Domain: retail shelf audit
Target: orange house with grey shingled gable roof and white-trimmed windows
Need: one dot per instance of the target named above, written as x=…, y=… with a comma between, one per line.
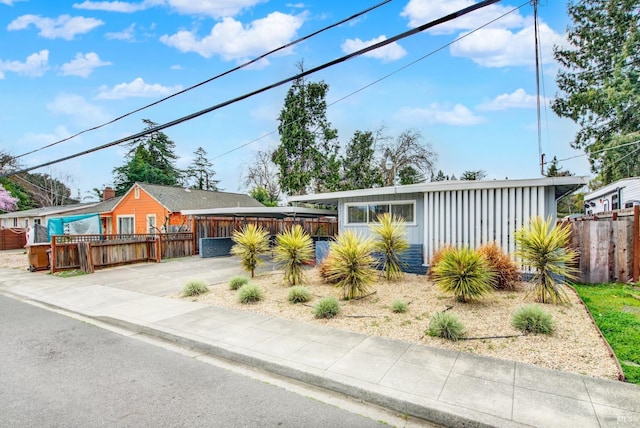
x=152, y=208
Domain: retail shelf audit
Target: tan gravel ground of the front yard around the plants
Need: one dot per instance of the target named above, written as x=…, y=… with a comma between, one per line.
x=575, y=346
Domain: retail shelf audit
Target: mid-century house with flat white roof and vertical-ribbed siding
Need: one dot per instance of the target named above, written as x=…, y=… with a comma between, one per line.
x=458, y=213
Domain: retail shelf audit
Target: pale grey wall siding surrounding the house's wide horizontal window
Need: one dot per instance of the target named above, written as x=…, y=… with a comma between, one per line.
x=415, y=231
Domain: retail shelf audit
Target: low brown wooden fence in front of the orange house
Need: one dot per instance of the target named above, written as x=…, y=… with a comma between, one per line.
x=87, y=252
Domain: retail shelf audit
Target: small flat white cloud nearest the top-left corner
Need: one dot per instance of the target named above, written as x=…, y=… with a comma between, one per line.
x=64, y=27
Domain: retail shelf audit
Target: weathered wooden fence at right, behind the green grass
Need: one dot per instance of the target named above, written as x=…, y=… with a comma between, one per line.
x=608, y=245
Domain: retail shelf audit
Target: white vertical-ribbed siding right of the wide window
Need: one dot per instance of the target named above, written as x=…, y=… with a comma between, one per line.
x=473, y=217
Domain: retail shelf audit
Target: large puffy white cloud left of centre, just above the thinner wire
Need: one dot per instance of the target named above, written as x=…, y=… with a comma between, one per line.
x=231, y=40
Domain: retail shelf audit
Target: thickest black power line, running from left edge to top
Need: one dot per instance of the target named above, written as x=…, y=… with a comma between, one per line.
x=300, y=75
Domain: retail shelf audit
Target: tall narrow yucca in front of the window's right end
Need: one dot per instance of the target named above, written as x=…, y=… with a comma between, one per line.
x=390, y=241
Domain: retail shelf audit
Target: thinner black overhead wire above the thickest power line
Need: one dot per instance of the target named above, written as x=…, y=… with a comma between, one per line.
x=246, y=64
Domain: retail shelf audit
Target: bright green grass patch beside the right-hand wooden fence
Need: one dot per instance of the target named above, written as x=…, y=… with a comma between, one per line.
x=617, y=314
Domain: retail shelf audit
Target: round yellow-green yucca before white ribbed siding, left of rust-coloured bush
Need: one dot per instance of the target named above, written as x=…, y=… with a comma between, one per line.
x=465, y=273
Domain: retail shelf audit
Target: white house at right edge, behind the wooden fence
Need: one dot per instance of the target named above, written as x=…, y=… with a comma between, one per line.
x=623, y=193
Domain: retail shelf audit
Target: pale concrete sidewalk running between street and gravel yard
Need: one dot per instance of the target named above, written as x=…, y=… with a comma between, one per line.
x=446, y=387
